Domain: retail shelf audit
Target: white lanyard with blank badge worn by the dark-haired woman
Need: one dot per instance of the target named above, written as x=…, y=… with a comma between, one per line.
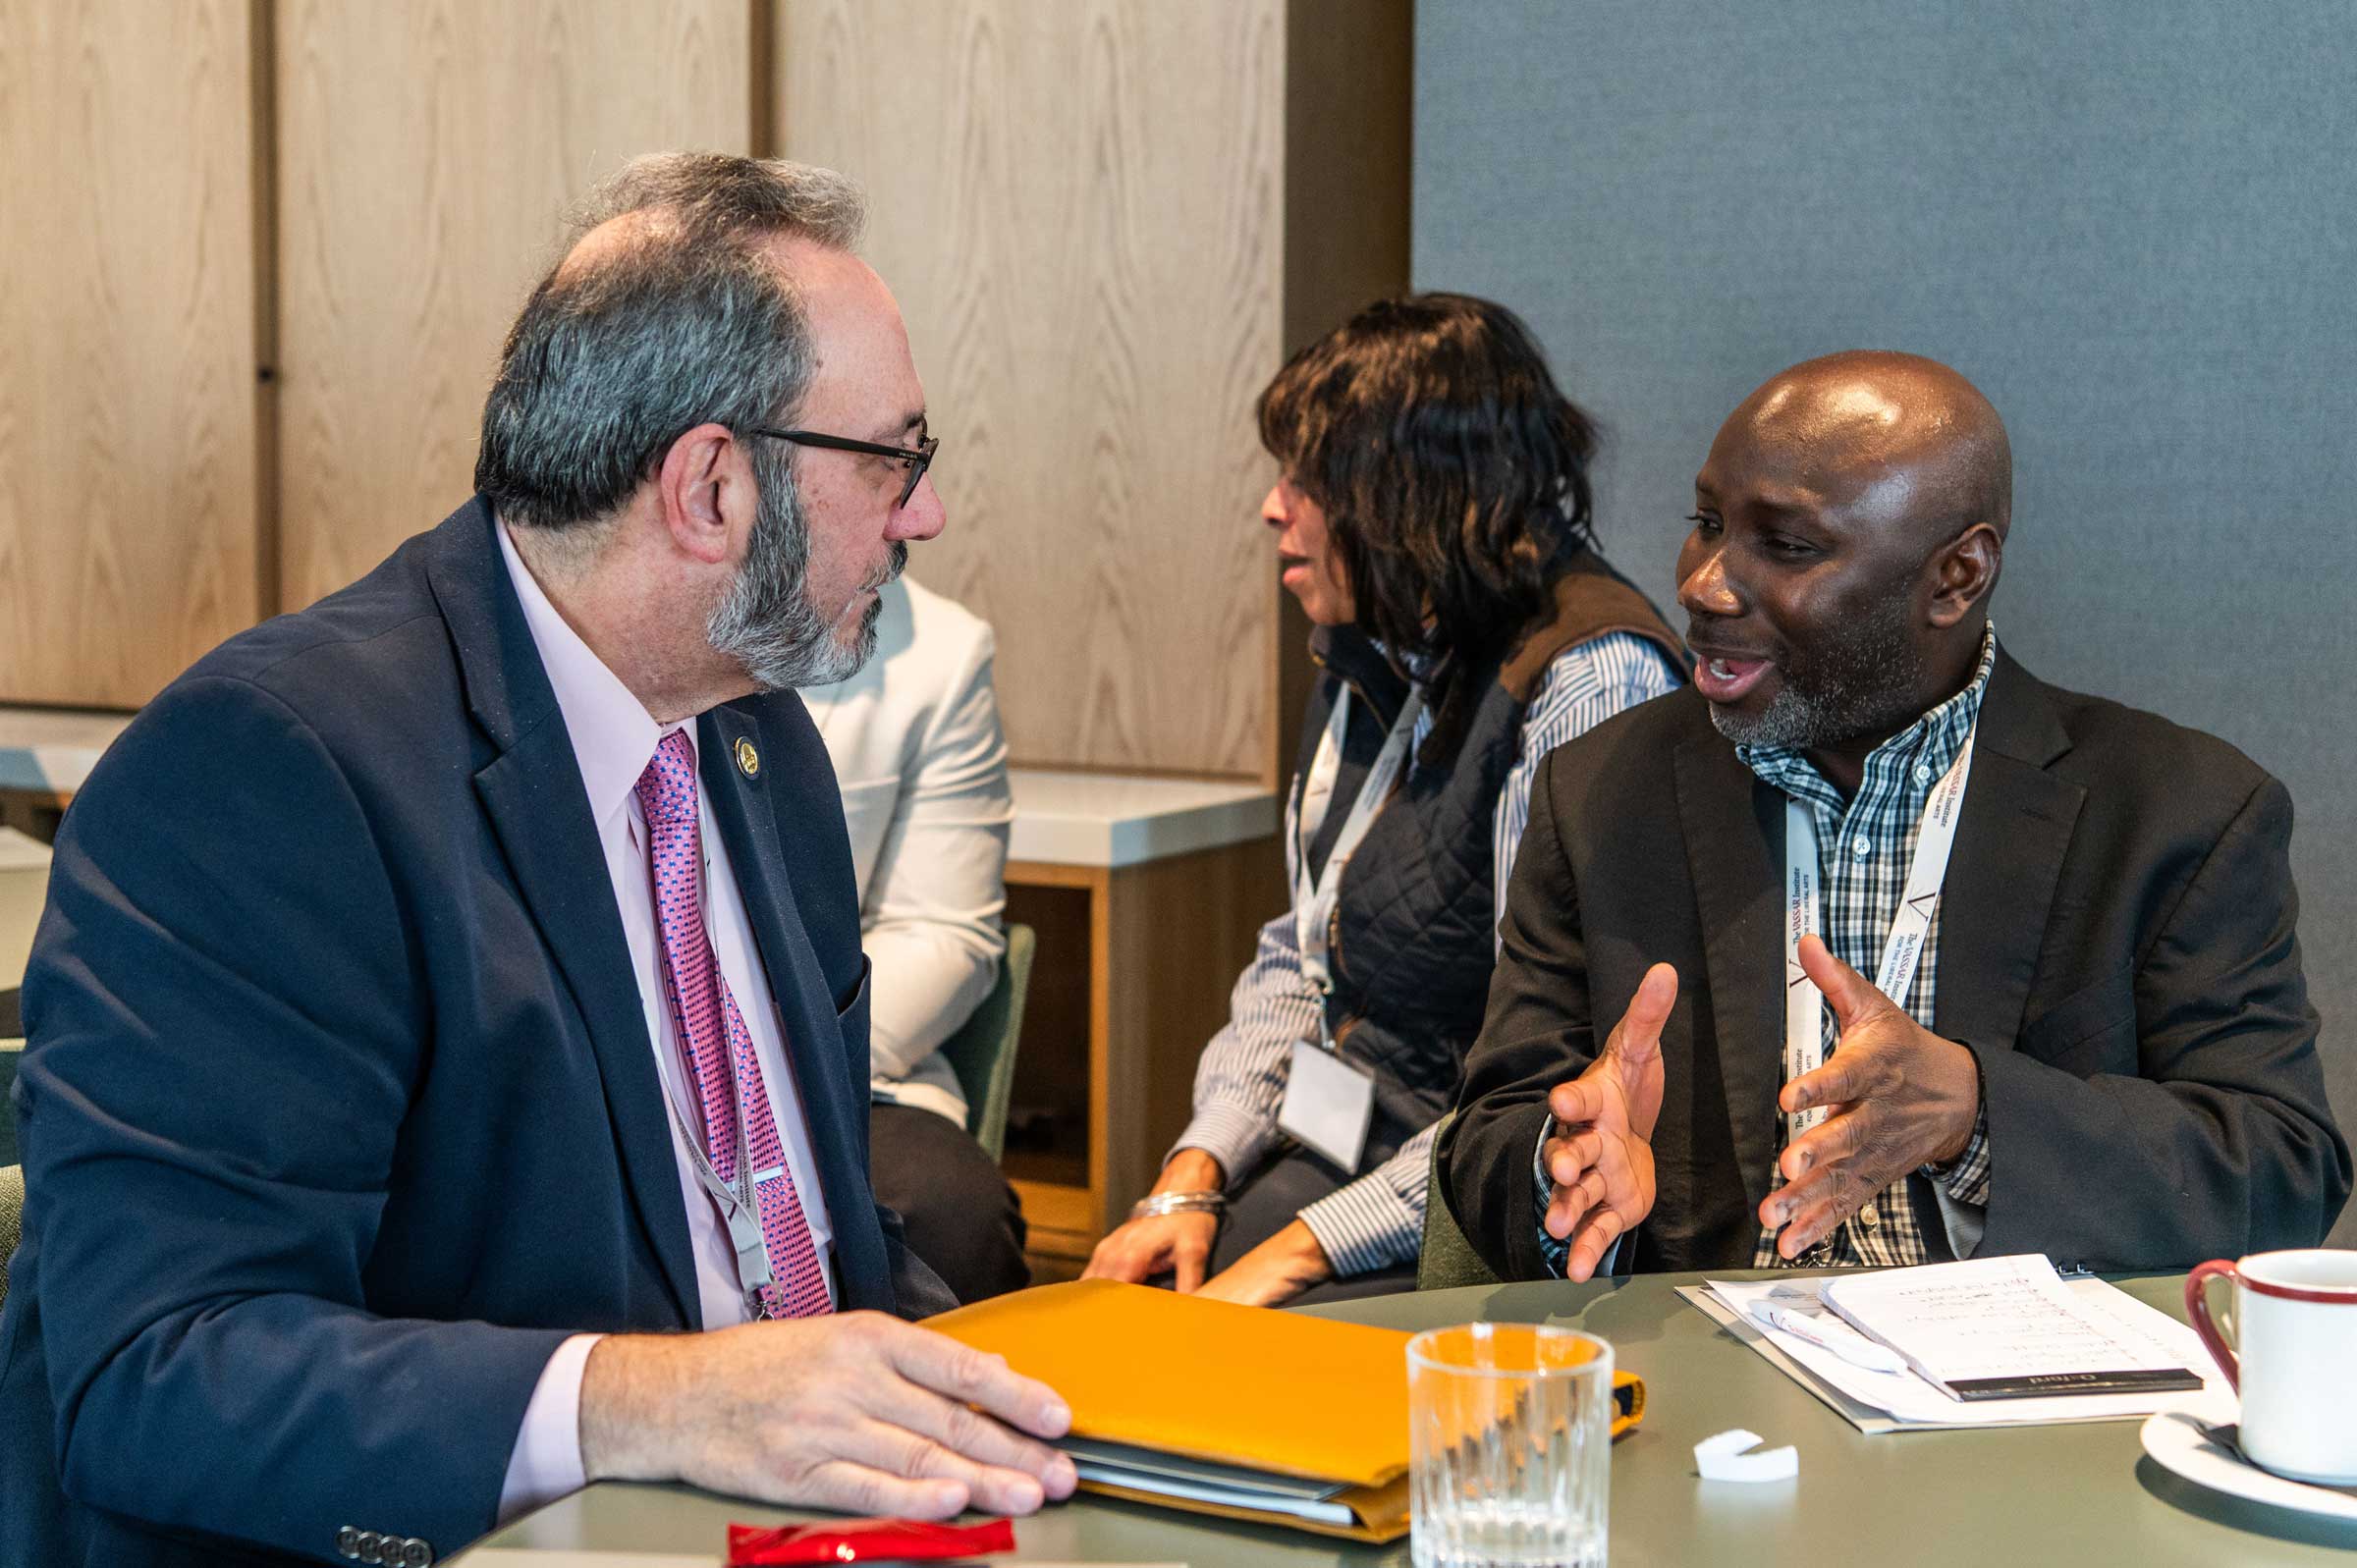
x=1328, y=1100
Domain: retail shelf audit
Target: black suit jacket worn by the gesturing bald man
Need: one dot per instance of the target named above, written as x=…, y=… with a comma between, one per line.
x=2115, y=949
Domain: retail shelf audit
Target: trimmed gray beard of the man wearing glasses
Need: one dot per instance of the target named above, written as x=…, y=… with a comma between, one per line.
x=765, y=617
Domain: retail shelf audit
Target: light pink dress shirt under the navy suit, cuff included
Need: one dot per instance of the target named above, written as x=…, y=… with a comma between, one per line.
x=614, y=739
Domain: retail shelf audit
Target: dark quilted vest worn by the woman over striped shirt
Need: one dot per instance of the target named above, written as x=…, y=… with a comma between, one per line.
x=1415, y=928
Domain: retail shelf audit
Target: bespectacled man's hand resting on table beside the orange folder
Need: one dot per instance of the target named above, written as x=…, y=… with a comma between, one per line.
x=859, y=1414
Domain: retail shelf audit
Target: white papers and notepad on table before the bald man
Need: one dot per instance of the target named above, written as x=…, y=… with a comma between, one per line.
x=1981, y=1322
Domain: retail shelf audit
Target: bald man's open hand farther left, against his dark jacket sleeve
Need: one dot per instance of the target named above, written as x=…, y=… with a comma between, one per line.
x=1602, y=1168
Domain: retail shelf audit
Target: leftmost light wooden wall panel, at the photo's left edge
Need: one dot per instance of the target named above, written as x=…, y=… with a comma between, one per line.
x=128, y=409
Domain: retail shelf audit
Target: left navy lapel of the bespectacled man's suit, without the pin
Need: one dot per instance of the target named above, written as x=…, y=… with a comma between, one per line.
x=539, y=808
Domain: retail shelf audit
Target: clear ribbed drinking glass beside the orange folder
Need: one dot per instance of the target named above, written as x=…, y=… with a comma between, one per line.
x=1510, y=1447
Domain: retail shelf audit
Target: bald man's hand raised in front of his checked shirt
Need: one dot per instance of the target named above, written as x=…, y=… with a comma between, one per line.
x=1901, y=1098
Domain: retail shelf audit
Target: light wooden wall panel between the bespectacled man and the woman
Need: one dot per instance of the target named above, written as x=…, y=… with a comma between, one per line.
x=1081, y=213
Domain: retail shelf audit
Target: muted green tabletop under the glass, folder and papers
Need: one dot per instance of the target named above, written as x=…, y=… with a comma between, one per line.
x=2005, y=1498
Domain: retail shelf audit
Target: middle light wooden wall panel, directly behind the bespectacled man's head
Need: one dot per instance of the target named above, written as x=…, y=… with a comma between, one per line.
x=428, y=154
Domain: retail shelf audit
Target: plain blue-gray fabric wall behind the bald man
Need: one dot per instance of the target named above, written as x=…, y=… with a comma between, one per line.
x=2134, y=223
